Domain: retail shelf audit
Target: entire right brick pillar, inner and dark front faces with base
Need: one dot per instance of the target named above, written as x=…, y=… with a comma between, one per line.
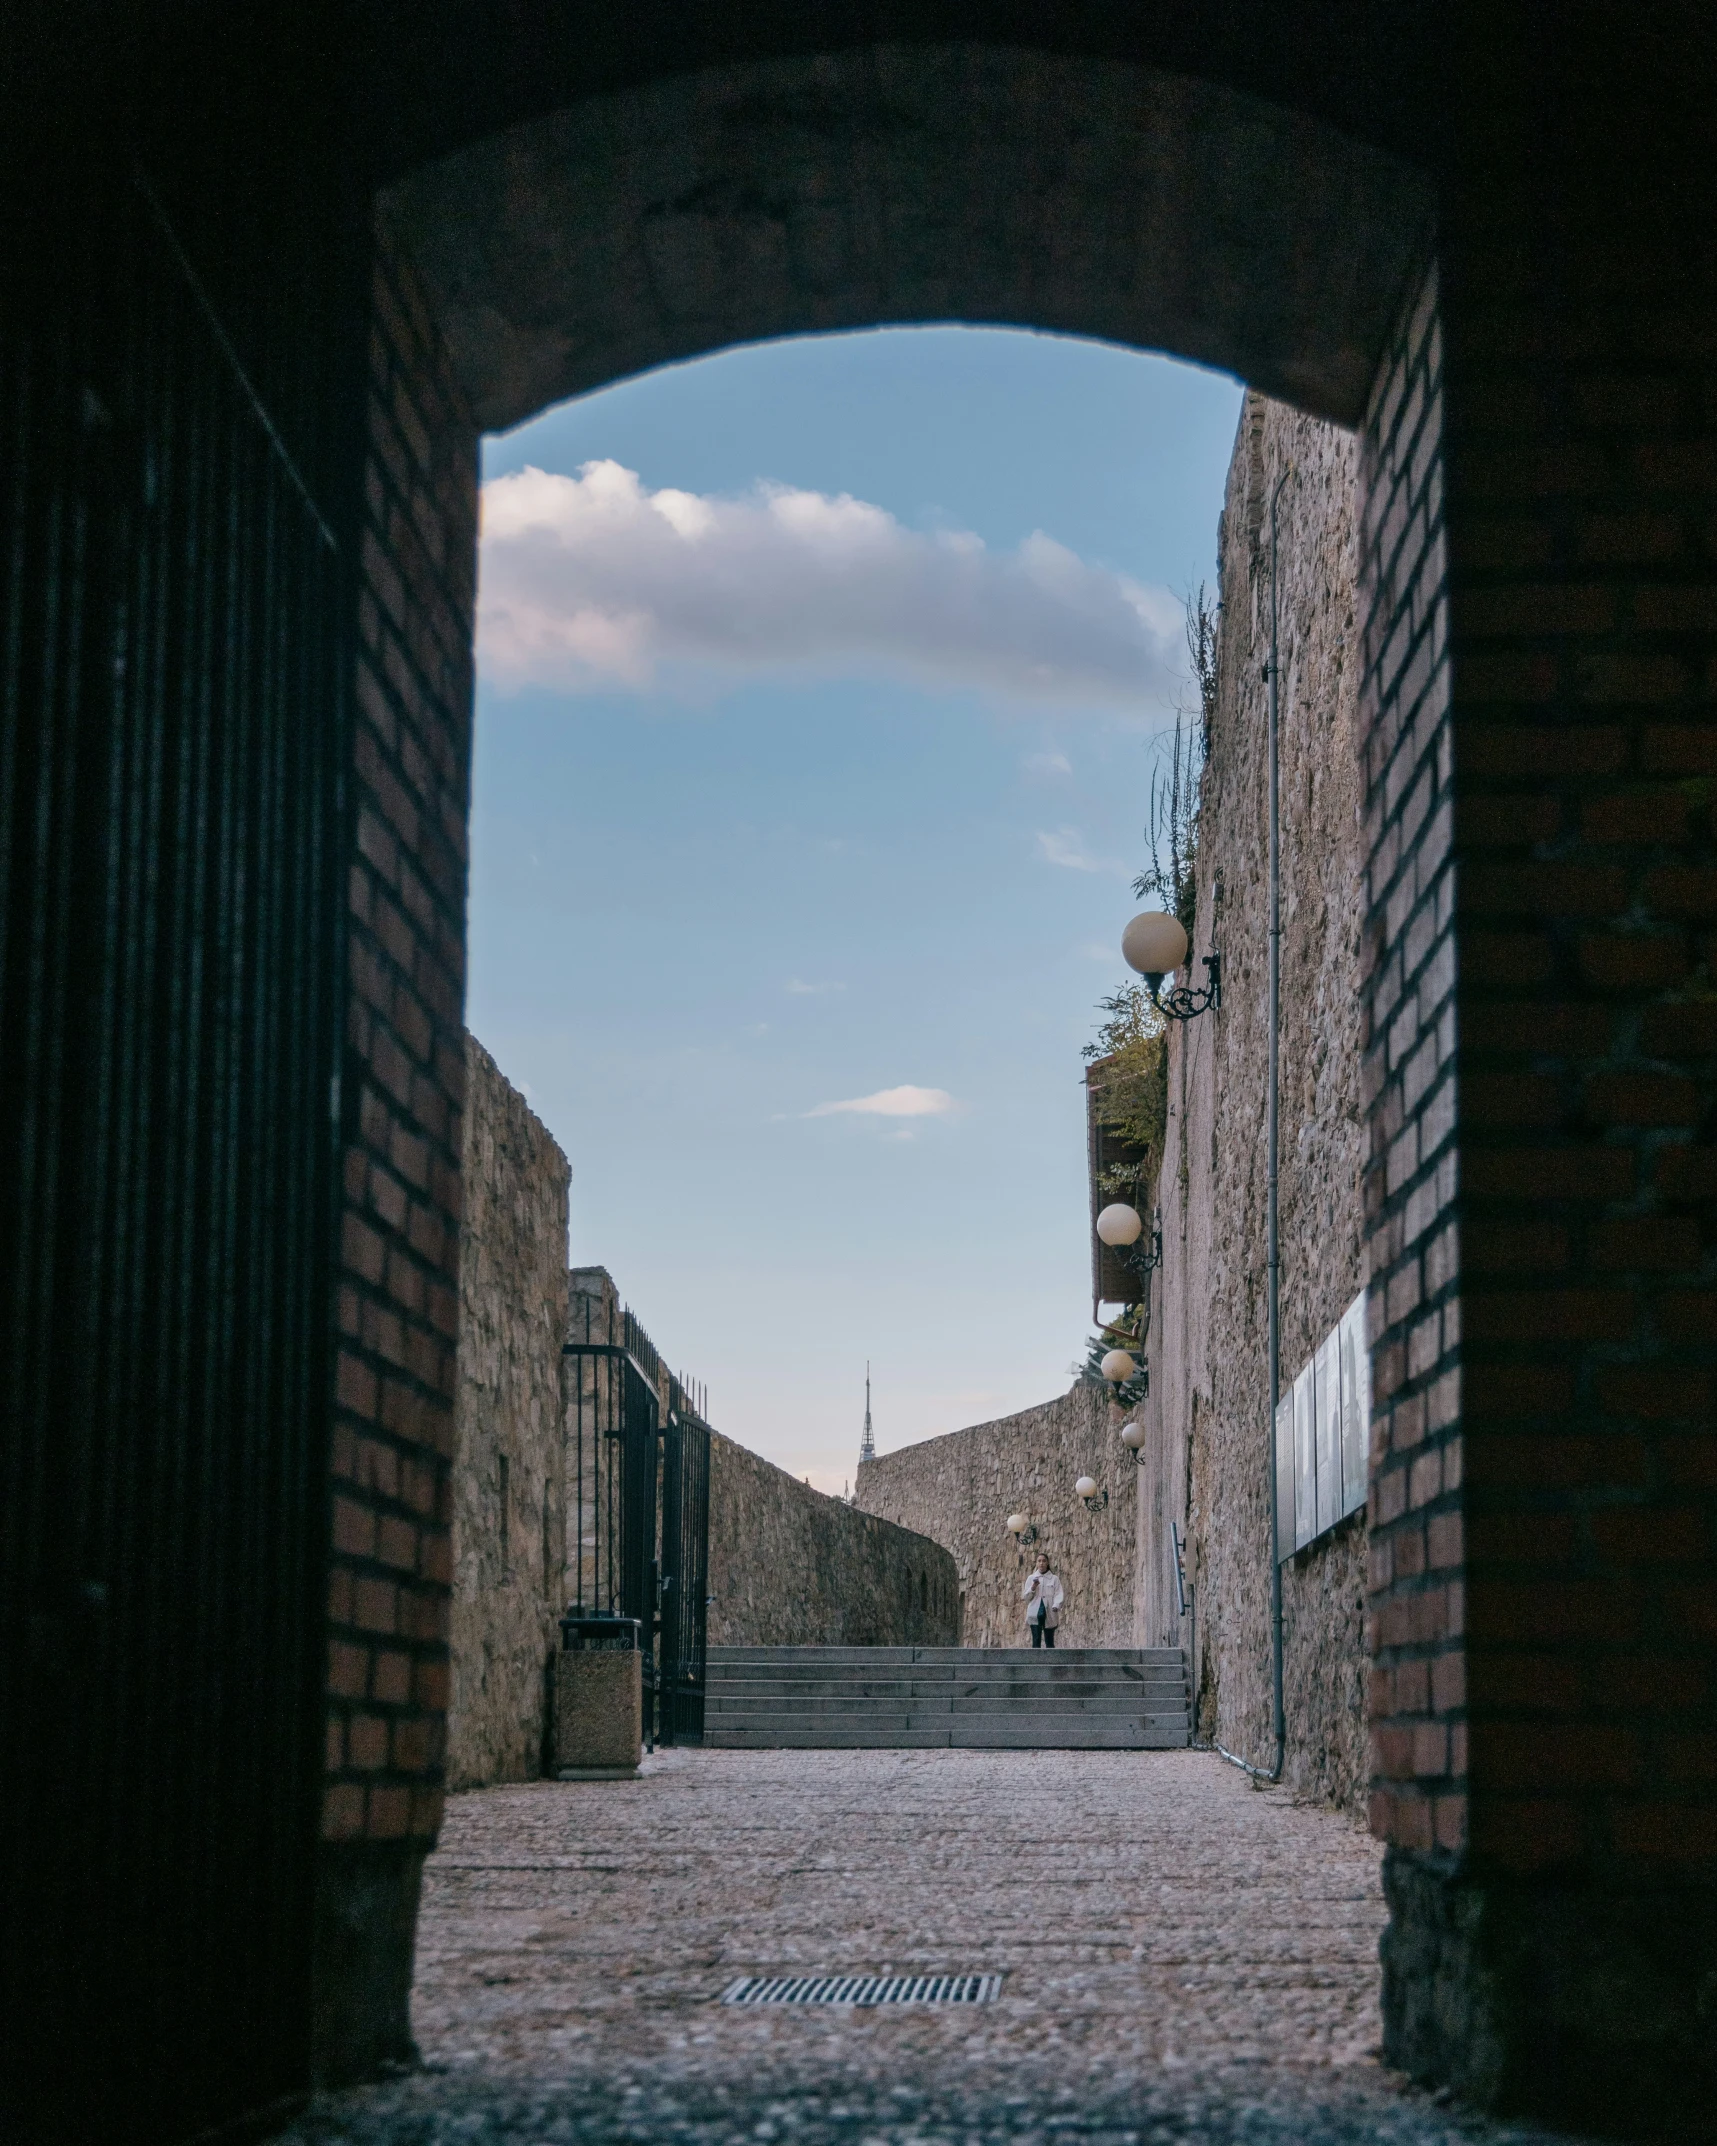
x=1544, y=1456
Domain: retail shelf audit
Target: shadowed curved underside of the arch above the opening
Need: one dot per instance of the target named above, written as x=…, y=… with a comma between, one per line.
x=915, y=183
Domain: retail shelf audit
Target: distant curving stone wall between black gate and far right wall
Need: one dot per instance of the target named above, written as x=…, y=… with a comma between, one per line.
x=793, y=1568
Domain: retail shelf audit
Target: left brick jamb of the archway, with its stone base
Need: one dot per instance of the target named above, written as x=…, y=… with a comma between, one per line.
x=402, y=1100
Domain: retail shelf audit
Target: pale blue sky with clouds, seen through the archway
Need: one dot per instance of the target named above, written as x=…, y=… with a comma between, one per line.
x=812, y=759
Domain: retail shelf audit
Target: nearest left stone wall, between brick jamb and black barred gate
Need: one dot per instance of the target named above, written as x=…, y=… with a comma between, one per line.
x=508, y=1475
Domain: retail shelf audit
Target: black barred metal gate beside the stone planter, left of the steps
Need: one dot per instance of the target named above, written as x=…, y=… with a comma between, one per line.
x=639, y=1508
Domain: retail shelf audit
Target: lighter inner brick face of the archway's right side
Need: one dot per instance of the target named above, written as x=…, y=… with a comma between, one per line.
x=1411, y=1175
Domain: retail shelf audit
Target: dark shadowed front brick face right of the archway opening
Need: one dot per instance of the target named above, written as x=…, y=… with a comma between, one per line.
x=1583, y=458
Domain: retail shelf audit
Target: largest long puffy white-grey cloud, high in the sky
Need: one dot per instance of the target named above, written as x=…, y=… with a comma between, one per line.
x=596, y=580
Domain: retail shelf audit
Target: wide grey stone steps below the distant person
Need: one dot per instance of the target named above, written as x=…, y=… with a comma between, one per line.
x=995, y=1699
